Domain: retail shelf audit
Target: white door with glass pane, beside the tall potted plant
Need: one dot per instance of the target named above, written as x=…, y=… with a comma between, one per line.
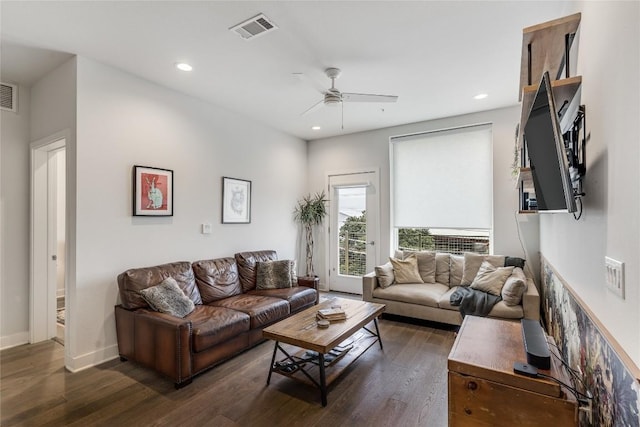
x=353, y=229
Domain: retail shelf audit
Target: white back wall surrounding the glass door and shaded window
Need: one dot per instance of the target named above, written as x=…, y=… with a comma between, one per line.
x=369, y=149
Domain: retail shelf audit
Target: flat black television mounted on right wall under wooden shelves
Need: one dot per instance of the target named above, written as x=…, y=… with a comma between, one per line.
x=547, y=153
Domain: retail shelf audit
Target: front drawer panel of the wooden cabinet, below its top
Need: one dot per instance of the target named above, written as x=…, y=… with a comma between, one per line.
x=477, y=402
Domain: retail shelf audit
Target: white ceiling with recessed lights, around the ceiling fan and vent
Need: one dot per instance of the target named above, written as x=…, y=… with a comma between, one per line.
x=435, y=55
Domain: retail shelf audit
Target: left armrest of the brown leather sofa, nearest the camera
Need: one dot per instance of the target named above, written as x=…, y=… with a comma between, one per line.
x=163, y=342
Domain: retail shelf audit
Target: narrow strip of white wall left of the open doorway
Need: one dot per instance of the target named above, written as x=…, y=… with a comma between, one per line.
x=14, y=218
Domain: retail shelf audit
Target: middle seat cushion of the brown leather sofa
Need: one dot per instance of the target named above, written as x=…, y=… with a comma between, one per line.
x=261, y=309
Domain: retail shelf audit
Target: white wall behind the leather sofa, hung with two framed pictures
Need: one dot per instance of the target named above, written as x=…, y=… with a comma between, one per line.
x=125, y=121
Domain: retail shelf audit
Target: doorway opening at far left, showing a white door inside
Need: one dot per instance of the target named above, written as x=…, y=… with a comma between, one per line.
x=48, y=240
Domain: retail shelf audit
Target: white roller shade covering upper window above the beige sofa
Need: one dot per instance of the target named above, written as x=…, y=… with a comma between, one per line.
x=443, y=179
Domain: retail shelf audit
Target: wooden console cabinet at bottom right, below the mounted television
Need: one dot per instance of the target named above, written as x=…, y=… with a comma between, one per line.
x=484, y=390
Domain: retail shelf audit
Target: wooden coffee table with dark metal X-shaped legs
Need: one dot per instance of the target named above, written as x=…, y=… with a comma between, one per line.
x=351, y=337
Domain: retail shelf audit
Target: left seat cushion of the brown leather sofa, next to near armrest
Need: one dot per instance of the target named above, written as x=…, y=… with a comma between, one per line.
x=213, y=325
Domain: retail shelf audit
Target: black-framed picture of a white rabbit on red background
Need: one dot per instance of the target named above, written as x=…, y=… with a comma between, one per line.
x=152, y=191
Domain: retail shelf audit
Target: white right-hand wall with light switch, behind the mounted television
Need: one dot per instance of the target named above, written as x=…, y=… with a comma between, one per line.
x=608, y=60
